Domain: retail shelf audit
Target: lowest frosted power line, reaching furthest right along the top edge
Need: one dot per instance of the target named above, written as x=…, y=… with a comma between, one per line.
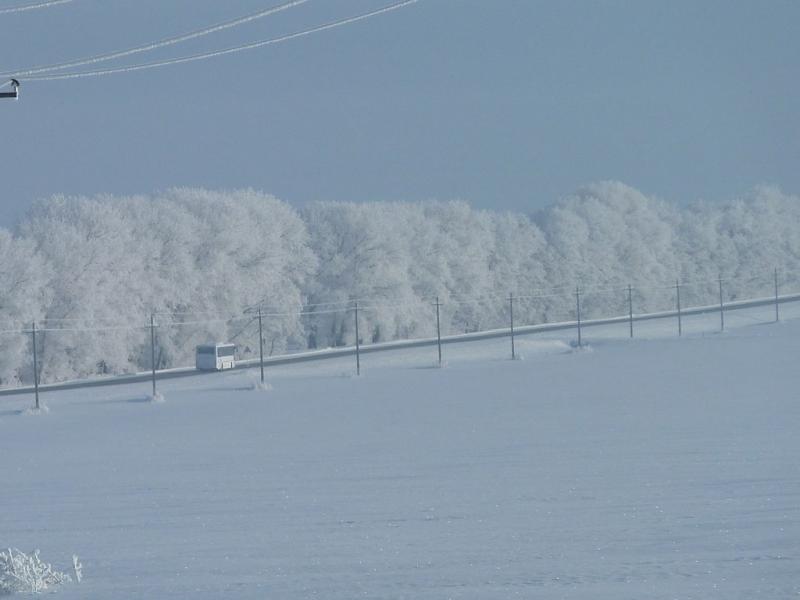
x=232, y=50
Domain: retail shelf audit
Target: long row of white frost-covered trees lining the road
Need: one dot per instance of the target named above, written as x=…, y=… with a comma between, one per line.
x=91, y=271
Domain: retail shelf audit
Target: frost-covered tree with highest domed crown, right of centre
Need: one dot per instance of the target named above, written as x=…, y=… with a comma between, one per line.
x=610, y=235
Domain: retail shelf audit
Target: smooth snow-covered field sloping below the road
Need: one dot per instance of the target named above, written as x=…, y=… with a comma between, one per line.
x=658, y=468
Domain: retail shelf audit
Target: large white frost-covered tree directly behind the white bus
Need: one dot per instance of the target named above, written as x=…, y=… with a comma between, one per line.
x=219, y=255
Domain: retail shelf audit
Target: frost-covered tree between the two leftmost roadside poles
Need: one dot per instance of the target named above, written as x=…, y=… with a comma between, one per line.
x=86, y=243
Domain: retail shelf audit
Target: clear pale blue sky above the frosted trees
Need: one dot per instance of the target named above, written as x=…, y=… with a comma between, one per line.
x=505, y=104
